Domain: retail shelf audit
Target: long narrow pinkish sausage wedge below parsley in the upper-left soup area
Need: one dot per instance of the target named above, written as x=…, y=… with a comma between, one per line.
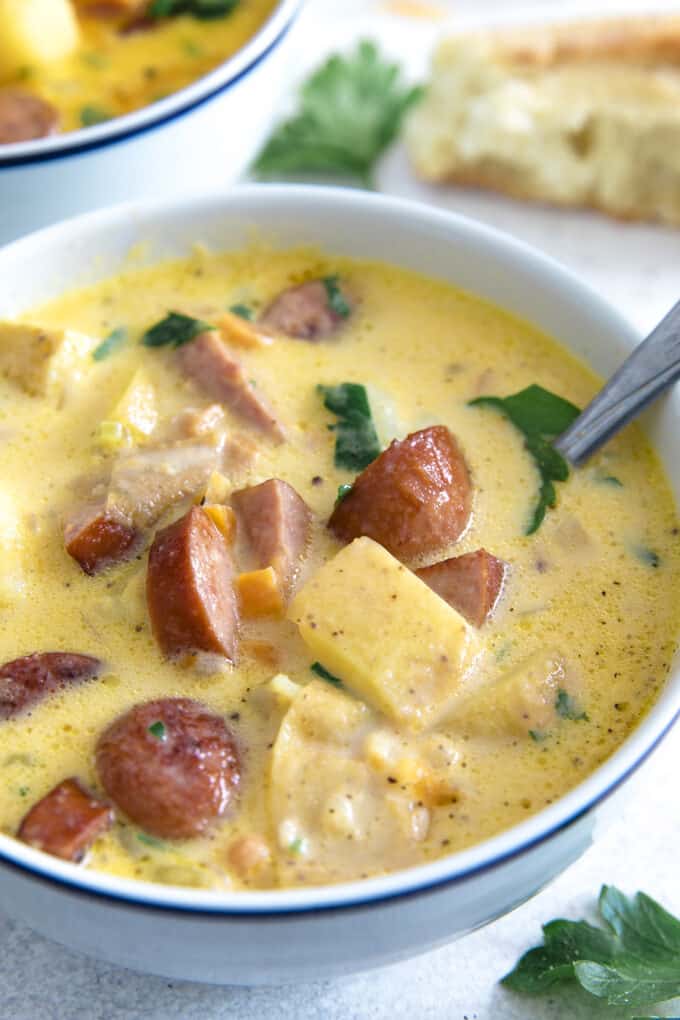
x=208, y=363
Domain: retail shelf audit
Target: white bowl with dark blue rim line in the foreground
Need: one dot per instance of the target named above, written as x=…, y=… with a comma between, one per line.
x=286, y=937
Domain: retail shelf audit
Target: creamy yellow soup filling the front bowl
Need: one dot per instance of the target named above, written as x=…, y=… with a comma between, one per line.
x=353, y=792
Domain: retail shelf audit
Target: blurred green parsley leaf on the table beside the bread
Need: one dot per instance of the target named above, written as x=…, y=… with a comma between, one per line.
x=350, y=112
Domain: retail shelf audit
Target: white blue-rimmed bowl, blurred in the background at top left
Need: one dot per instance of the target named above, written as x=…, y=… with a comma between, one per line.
x=198, y=139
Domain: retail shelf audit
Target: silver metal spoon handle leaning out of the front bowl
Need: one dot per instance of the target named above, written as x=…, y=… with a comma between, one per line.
x=654, y=366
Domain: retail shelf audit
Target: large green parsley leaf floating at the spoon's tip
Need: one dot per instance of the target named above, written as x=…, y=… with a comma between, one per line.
x=541, y=417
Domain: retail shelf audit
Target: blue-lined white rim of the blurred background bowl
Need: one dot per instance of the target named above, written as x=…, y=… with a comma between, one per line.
x=156, y=115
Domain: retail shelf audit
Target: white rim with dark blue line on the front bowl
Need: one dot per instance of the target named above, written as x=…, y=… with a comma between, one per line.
x=445, y=872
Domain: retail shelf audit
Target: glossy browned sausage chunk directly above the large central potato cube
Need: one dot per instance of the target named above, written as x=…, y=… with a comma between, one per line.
x=415, y=499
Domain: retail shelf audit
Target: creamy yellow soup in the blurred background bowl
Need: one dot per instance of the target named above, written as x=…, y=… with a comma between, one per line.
x=115, y=70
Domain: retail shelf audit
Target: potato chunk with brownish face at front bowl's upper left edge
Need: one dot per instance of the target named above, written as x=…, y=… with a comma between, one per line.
x=43, y=363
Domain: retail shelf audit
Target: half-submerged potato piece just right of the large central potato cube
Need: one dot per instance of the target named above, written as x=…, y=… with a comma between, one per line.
x=521, y=702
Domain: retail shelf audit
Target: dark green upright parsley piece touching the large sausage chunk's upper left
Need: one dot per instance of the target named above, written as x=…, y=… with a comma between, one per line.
x=357, y=442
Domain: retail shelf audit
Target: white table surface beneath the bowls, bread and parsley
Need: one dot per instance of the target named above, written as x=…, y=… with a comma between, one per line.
x=638, y=269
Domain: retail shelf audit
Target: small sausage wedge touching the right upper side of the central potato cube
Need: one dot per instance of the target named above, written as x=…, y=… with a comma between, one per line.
x=472, y=584
